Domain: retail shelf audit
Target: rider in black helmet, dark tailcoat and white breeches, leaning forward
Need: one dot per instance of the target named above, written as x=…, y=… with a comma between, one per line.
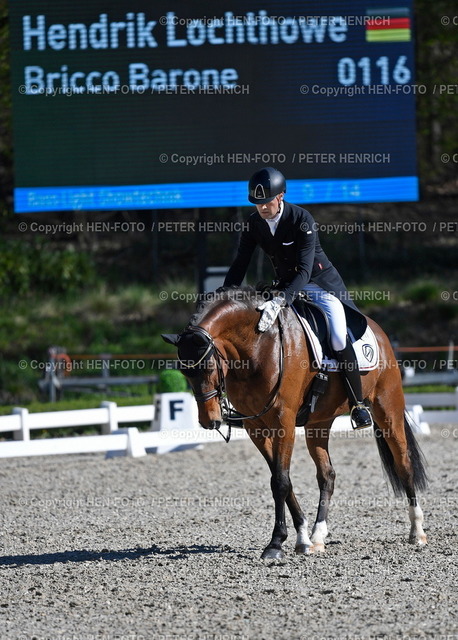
x=288, y=235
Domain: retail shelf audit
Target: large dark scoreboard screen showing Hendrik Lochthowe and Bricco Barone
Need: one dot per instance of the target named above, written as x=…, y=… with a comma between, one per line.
x=131, y=104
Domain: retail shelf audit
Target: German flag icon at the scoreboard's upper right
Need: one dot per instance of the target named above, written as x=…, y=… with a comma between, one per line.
x=388, y=25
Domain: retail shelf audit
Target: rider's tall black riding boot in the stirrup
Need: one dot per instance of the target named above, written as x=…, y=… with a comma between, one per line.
x=348, y=365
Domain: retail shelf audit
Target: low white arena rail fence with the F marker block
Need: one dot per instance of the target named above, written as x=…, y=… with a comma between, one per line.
x=180, y=431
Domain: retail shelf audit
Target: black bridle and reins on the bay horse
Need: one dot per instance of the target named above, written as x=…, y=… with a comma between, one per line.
x=228, y=413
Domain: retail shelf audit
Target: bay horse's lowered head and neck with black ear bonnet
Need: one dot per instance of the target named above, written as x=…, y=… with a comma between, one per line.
x=218, y=342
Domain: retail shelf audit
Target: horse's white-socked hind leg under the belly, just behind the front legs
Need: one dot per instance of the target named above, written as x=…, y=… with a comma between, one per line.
x=317, y=437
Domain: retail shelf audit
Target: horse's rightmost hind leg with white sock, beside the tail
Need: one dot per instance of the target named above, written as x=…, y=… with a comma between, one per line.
x=401, y=456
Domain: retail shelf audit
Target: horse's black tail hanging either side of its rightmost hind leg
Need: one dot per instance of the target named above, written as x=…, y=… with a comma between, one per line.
x=420, y=478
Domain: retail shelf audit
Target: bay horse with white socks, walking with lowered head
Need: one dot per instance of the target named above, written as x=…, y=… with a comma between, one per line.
x=266, y=377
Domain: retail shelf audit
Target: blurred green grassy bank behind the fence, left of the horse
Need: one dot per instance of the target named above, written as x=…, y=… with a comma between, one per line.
x=102, y=320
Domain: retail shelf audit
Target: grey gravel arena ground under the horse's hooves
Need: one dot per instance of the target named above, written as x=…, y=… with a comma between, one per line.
x=169, y=547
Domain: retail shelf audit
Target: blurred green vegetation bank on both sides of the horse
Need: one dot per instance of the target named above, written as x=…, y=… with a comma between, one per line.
x=130, y=319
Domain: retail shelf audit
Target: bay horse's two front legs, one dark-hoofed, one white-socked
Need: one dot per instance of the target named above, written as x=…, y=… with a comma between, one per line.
x=264, y=443
